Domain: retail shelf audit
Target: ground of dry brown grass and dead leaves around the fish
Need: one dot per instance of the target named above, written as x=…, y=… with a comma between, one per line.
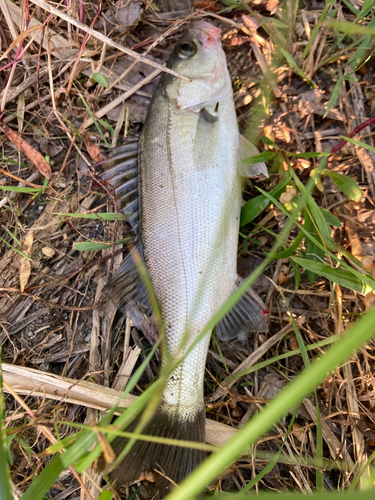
x=54, y=316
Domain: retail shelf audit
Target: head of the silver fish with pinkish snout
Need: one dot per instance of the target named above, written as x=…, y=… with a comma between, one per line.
x=199, y=56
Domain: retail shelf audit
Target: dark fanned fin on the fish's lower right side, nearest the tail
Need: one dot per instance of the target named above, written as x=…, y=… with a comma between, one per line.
x=248, y=315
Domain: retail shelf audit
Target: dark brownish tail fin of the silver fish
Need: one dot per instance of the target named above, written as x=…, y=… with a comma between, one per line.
x=170, y=464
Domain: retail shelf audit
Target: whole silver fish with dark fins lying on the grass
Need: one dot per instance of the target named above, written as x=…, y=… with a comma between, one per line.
x=181, y=185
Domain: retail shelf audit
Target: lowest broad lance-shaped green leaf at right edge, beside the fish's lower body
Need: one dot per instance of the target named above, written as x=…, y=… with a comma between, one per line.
x=339, y=276
